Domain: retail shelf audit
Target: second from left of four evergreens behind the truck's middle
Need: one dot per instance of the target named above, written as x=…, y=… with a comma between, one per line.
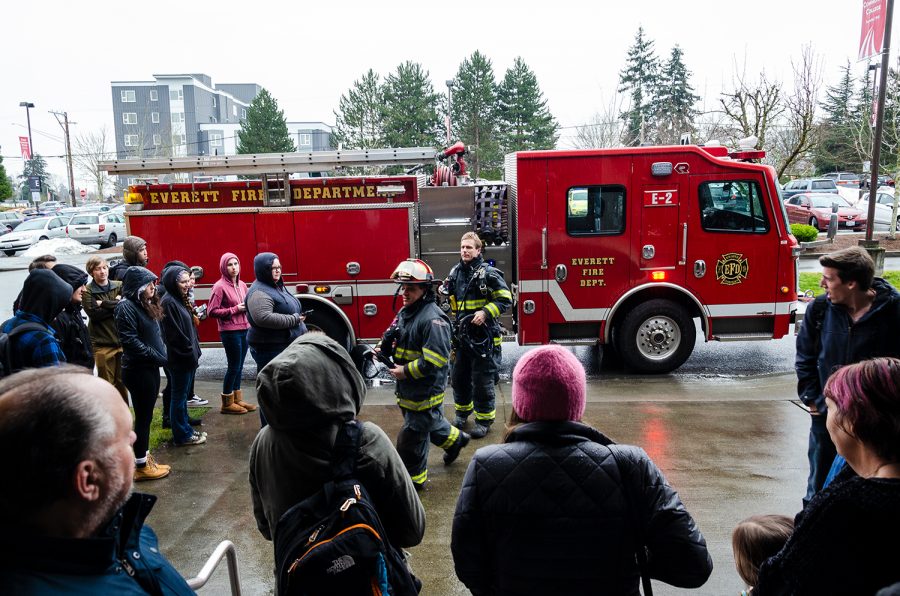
x=411, y=117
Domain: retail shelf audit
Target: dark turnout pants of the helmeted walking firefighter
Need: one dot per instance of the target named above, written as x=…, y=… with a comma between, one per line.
x=419, y=429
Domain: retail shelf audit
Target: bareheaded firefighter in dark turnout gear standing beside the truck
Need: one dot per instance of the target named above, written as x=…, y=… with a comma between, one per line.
x=478, y=296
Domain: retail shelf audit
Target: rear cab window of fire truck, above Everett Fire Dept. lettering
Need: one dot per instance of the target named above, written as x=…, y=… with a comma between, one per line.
x=595, y=210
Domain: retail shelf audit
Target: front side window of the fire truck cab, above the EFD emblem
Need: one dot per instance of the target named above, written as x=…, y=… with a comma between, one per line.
x=732, y=206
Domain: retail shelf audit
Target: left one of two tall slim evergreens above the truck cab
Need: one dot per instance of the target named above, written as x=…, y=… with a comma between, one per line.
x=639, y=79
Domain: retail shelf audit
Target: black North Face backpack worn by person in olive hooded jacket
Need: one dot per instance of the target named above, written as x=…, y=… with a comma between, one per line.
x=333, y=542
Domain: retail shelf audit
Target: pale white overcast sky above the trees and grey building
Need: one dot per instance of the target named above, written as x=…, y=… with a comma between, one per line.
x=62, y=55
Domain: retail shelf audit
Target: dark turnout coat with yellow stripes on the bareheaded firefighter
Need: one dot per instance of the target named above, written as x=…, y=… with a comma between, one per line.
x=487, y=292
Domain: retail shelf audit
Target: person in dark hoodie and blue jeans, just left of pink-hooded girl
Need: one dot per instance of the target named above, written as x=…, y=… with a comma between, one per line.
x=179, y=326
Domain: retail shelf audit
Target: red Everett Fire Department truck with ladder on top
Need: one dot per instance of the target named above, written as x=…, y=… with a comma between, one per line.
x=629, y=248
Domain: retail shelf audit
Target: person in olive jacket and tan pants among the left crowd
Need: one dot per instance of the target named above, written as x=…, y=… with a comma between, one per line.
x=99, y=302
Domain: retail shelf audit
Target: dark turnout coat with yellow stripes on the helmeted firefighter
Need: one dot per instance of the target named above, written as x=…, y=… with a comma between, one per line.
x=423, y=349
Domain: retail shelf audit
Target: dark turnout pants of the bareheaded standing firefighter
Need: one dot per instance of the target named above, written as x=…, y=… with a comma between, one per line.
x=473, y=380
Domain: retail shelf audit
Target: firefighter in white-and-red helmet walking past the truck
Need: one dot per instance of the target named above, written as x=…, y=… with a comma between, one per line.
x=419, y=340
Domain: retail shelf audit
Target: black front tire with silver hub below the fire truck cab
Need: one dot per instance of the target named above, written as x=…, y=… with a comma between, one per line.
x=656, y=337
